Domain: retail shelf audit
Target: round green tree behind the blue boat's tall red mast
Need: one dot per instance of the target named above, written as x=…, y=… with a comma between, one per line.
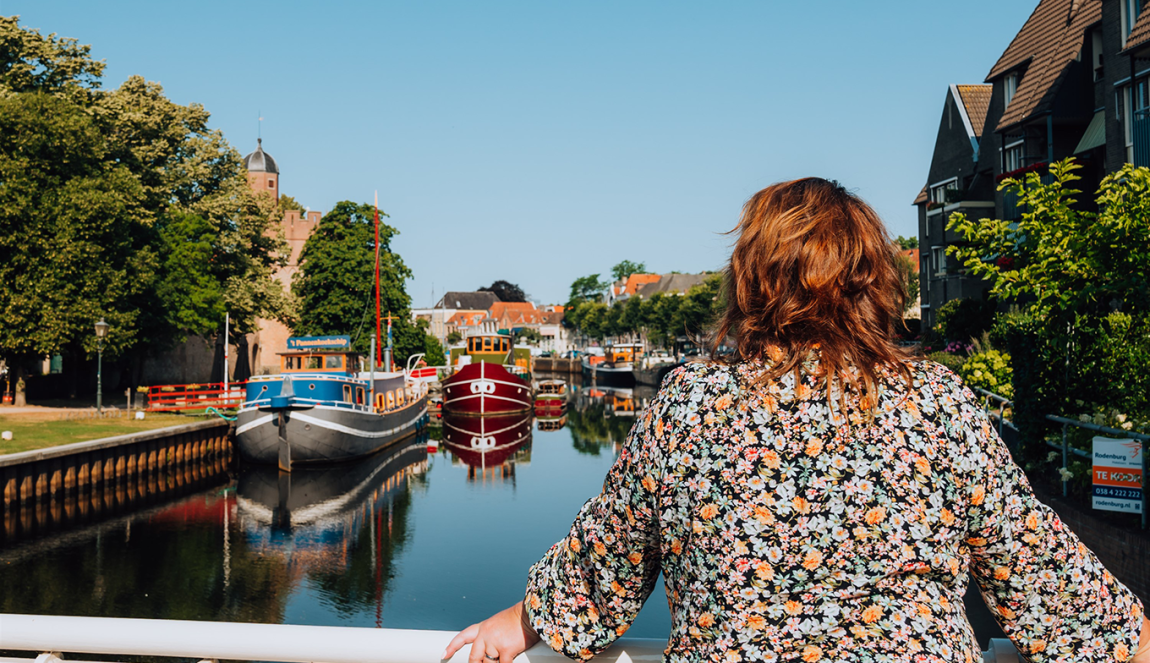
x=336, y=284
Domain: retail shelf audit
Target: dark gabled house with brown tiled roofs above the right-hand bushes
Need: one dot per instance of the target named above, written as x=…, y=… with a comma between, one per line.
x=1062, y=88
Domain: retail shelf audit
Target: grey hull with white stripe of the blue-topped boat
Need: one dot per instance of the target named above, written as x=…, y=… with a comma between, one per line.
x=325, y=434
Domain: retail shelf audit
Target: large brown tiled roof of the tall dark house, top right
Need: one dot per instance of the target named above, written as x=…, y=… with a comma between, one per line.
x=1049, y=41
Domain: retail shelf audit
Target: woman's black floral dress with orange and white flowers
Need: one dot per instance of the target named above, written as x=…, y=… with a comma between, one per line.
x=787, y=530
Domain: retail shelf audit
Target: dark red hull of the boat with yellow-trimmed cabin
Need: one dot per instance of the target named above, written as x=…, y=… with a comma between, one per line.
x=484, y=389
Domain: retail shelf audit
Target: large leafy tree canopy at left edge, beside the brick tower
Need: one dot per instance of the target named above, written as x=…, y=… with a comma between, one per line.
x=119, y=205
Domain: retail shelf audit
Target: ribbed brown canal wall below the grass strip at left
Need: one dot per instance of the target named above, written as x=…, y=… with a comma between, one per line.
x=45, y=475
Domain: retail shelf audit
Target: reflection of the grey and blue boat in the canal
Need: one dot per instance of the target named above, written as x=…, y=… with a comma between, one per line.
x=313, y=518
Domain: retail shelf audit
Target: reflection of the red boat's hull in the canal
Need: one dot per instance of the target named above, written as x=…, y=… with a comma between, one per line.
x=490, y=446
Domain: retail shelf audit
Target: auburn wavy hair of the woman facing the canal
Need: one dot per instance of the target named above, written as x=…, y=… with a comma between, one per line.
x=814, y=269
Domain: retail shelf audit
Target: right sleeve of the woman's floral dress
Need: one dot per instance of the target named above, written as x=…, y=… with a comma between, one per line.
x=1049, y=592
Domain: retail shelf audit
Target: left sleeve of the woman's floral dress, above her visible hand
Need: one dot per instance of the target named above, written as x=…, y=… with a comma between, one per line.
x=589, y=588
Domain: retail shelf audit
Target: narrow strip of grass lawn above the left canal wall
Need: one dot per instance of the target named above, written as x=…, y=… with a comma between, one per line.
x=37, y=431
